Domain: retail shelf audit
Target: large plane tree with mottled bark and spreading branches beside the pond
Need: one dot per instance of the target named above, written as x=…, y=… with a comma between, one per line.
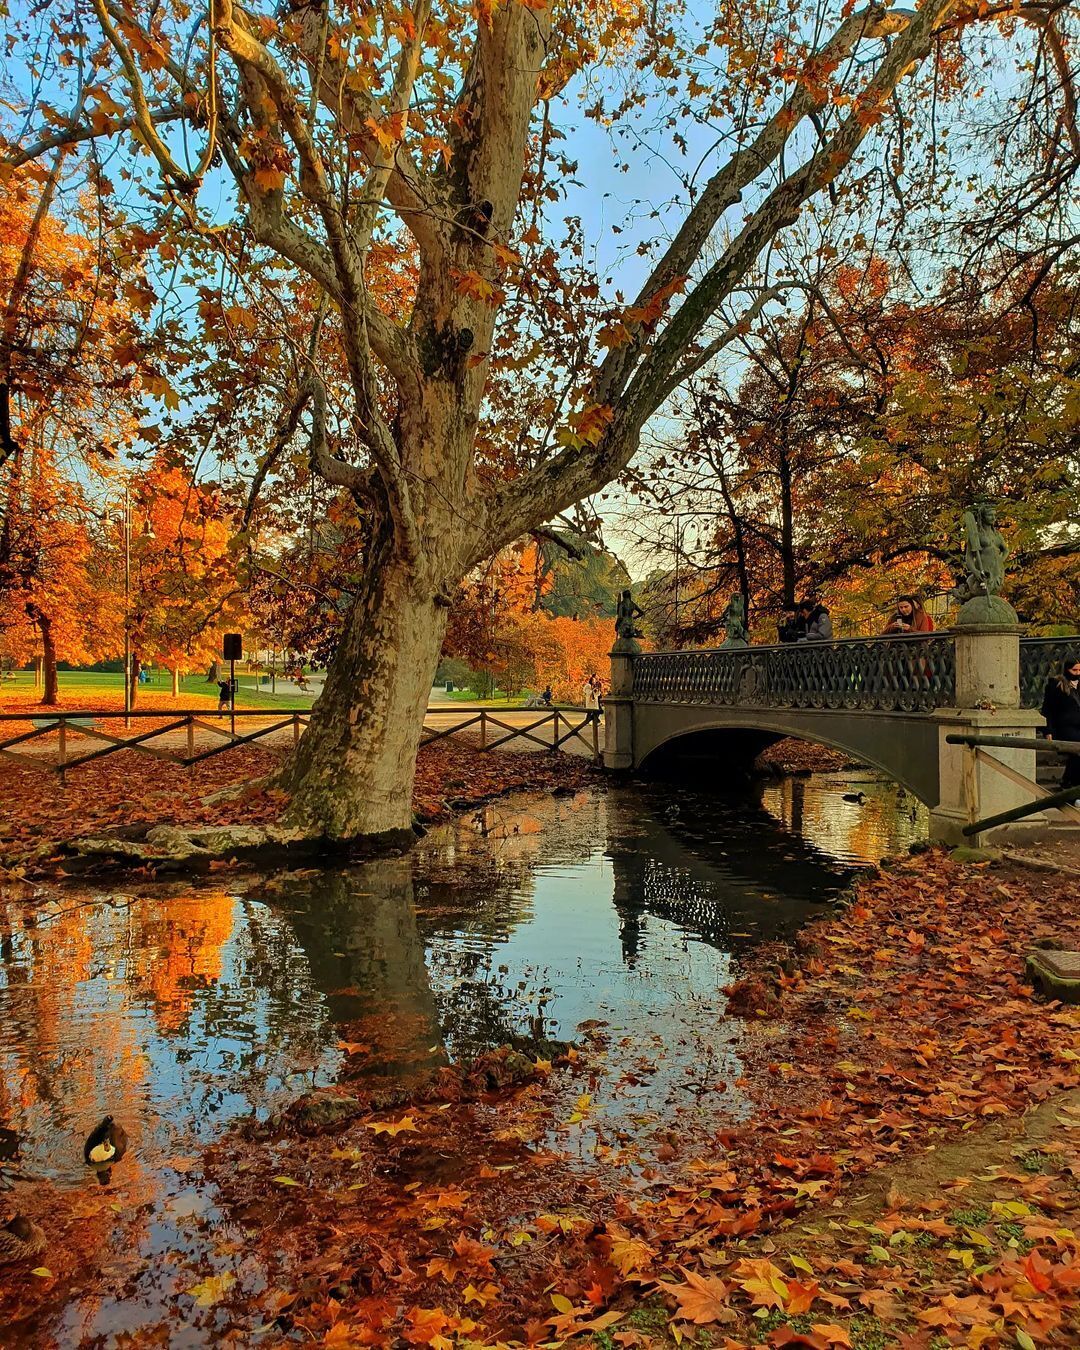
x=352, y=124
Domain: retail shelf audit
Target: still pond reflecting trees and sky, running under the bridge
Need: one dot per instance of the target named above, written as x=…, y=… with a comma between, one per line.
x=182, y=1009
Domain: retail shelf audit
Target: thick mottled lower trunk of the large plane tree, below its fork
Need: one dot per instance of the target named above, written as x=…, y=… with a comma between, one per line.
x=353, y=773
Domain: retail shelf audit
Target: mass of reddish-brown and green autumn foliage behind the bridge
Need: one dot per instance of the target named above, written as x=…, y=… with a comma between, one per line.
x=861, y=426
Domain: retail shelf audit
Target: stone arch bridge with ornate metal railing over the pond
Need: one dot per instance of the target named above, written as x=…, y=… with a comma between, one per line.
x=890, y=703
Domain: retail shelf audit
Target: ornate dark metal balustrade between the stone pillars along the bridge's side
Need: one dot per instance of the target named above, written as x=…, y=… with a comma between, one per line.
x=889, y=674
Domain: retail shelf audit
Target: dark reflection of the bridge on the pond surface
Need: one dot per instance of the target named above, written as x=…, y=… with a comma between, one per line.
x=715, y=867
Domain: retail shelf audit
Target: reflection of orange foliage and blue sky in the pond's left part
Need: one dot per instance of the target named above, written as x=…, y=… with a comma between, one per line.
x=171, y=1015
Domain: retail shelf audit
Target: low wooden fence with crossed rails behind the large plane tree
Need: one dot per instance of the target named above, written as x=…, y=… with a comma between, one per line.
x=566, y=726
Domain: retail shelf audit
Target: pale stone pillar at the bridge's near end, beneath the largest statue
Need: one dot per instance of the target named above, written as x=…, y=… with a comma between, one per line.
x=989, y=704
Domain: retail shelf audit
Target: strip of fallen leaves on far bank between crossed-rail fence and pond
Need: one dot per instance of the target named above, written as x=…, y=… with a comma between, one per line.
x=128, y=789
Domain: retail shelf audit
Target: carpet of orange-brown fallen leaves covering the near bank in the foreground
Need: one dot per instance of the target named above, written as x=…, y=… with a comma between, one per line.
x=897, y=1031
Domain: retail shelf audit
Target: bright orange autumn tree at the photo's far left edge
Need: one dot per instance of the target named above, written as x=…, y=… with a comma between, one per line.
x=71, y=385
